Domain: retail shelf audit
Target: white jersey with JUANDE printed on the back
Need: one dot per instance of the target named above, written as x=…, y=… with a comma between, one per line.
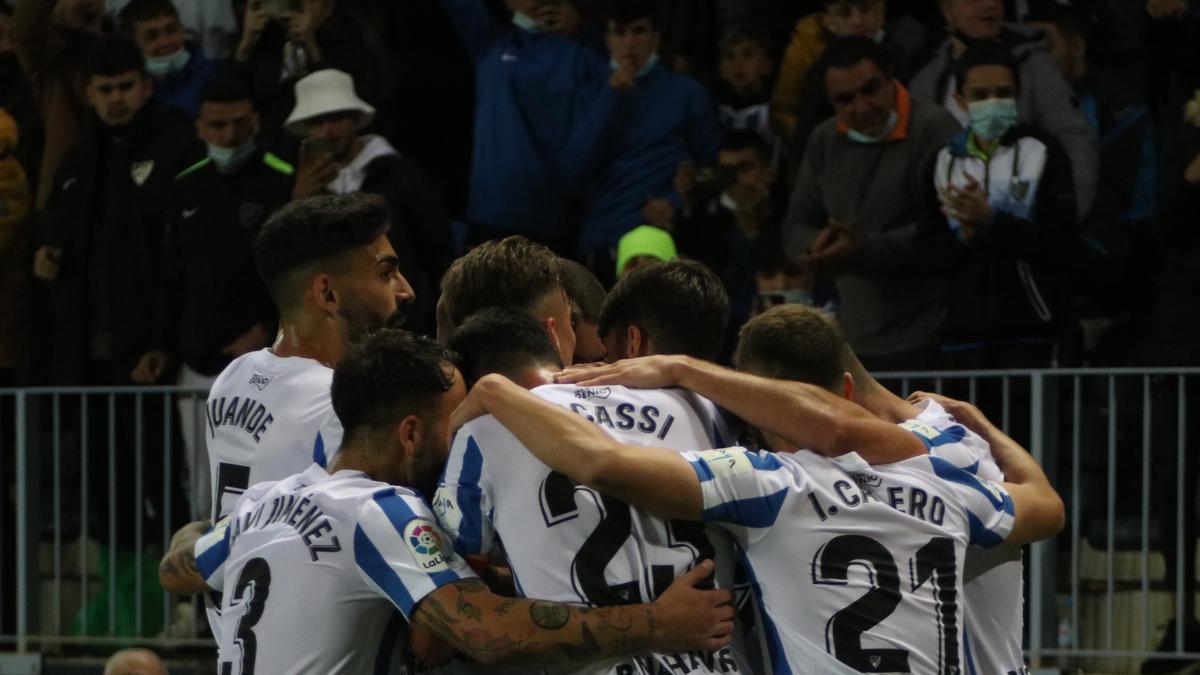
x=268, y=419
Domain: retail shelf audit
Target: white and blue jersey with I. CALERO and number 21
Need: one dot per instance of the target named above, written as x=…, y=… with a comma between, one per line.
x=856, y=569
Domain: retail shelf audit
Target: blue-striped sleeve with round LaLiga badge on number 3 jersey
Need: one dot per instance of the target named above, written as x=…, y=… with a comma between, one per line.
x=400, y=551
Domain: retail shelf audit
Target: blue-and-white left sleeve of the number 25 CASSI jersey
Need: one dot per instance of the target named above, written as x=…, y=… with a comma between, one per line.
x=464, y=501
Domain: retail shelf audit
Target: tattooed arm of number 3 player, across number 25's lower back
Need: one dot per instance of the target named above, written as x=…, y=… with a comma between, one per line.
x=491, y=630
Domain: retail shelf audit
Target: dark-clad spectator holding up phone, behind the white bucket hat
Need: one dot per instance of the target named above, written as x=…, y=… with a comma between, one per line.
x=280, y=46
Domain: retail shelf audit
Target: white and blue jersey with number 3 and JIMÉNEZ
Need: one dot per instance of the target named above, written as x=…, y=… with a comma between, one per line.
x=314, y=570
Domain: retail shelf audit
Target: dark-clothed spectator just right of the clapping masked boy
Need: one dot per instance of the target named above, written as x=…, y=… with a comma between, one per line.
x=1121, y=220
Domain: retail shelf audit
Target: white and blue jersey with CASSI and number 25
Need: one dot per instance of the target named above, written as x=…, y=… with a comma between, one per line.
x=568, y=543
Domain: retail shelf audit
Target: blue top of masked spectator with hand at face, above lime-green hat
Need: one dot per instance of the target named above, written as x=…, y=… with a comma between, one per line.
x=631, y=147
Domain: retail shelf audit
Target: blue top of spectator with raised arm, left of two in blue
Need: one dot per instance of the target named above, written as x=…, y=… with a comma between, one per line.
x=531, y=89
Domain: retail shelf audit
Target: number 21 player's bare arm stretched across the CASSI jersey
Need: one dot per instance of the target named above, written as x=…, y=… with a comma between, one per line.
x=658, y=480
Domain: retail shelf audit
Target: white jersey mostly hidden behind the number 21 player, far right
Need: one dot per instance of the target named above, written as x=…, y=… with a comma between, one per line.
x=993, y=581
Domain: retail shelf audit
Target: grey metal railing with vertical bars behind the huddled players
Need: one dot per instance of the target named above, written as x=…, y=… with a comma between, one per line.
x=1115, y=444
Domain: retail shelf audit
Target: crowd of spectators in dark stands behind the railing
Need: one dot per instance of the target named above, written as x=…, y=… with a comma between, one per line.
x=963, y=183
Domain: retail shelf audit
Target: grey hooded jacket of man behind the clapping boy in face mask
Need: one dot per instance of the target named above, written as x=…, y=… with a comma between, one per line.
x=1047, y=103
